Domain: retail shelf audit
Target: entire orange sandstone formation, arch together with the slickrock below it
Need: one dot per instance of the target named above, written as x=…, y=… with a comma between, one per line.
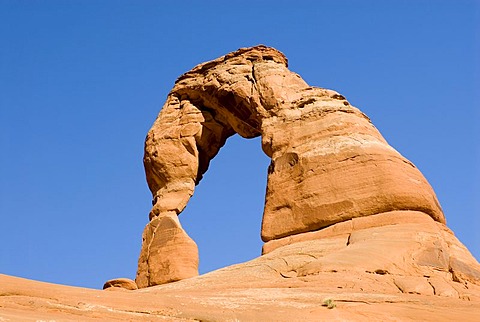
x=347, y=219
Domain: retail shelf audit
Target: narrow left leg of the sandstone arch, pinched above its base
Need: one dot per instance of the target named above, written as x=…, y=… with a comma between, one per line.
x=178, y=149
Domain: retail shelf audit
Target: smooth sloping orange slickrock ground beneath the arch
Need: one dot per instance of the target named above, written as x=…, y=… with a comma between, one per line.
x=409, y=268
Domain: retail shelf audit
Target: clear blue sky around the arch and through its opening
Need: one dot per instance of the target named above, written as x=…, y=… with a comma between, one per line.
x=81, y=82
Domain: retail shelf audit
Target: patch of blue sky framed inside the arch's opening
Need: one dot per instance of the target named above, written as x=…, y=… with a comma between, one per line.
x=230, y=195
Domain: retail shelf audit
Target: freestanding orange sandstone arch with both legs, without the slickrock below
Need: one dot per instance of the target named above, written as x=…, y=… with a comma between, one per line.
x=329, y=164
